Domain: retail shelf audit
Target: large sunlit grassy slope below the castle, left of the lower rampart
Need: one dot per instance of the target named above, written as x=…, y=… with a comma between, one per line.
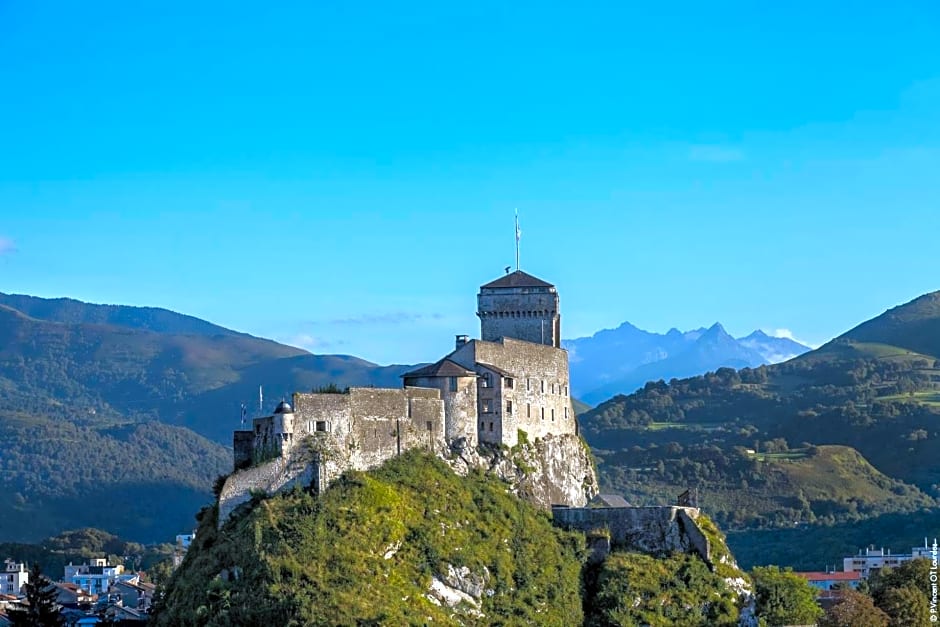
x=367, y=549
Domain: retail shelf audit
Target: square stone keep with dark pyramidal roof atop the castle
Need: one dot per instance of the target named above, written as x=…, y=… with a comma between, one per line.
x=521, y=307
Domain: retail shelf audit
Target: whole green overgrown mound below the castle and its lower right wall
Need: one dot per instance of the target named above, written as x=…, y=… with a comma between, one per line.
x=391, y=546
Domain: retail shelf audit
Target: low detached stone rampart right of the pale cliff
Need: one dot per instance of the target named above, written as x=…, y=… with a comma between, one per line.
x=646, y=529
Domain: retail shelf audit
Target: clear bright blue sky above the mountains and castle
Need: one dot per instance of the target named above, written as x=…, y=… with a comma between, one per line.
x=343, y=176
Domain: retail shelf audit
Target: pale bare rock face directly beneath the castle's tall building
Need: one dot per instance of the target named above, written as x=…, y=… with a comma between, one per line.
x=556, y=469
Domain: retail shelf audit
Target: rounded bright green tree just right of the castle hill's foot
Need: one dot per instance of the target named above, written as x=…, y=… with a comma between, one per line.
x=784, y=598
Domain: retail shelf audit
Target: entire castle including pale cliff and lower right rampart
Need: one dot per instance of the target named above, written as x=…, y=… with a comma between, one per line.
x=501, y=403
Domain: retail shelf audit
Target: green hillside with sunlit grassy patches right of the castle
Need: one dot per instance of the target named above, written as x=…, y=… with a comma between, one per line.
x=875, y=389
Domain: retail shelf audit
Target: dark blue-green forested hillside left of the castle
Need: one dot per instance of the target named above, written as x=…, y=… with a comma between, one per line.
x=121, y=417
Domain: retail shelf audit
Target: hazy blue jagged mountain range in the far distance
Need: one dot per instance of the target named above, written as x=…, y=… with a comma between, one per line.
x=621, y=360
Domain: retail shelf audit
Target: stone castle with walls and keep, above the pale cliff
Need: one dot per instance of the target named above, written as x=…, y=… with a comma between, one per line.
x=510, y=384
